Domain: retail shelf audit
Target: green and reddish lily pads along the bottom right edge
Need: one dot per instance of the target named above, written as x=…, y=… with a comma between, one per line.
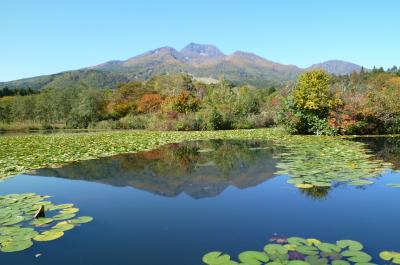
x=301, y=251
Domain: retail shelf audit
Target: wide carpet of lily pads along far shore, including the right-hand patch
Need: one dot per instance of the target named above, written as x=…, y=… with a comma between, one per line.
x=310, y=161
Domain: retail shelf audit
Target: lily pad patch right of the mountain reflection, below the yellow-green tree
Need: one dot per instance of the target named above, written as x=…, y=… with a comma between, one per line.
x=323, y=161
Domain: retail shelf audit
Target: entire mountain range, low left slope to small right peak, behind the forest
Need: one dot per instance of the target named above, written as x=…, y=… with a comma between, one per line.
x=202, y=61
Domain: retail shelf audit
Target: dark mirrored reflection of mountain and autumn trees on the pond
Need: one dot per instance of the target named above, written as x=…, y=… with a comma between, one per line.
x=199, y=169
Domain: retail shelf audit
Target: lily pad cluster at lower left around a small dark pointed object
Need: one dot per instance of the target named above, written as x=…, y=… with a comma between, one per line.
x=19, y=228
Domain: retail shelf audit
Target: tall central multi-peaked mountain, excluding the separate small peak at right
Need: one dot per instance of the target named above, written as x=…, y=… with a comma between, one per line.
x=204, y=61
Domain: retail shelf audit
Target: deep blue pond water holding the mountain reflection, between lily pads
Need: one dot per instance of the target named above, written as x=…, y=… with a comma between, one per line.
x=177, y=203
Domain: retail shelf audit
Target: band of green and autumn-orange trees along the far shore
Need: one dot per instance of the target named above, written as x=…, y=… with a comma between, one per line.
x=363, y=102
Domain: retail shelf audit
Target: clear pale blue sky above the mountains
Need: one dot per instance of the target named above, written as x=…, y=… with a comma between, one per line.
x=48, y=36
